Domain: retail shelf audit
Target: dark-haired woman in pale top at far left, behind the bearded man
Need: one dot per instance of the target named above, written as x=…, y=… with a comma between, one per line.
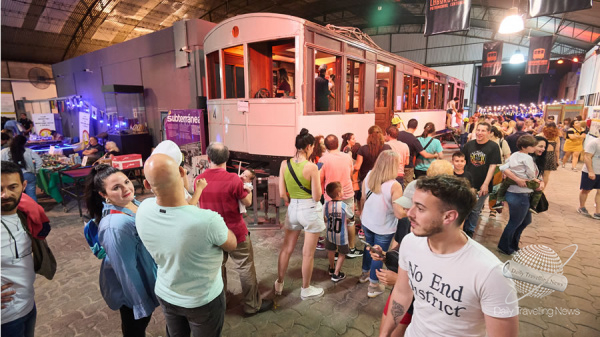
x=29, y=162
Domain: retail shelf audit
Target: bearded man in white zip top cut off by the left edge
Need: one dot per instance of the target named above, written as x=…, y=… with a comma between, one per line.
x=18, y=275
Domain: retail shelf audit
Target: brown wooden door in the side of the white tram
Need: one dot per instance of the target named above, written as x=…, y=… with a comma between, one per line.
x=384, y=91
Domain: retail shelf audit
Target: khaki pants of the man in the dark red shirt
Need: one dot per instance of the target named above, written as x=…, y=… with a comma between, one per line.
x=243, y=258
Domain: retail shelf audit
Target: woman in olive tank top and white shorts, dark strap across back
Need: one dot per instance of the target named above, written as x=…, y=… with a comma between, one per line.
x=300, y=187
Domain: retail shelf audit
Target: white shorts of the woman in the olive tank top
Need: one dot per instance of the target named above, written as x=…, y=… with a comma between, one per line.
x=305, y=214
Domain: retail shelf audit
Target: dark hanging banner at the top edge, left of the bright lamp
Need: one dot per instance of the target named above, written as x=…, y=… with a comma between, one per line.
x=444, y=16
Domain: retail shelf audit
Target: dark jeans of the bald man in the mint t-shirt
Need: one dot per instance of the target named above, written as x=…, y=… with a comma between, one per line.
x=205, y=321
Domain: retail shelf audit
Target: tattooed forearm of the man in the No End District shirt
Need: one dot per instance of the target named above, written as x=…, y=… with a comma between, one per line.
x=399, y=303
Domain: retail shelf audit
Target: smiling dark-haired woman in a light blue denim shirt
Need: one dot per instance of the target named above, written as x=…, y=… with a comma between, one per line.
x=128, y=272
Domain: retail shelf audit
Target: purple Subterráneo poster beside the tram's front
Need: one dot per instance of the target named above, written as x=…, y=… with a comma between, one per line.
x=186, y=129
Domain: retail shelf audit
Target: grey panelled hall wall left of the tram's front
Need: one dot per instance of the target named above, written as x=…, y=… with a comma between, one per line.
x=148, y=61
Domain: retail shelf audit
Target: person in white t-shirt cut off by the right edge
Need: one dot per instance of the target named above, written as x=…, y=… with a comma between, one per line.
x=590, y=177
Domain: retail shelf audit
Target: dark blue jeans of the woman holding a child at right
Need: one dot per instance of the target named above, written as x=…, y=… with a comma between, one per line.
x=520, y=217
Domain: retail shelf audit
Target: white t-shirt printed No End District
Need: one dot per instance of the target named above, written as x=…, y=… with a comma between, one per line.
x=452, y=292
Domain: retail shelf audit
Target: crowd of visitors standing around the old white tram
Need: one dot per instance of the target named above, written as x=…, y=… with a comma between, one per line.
x=415, y=212
